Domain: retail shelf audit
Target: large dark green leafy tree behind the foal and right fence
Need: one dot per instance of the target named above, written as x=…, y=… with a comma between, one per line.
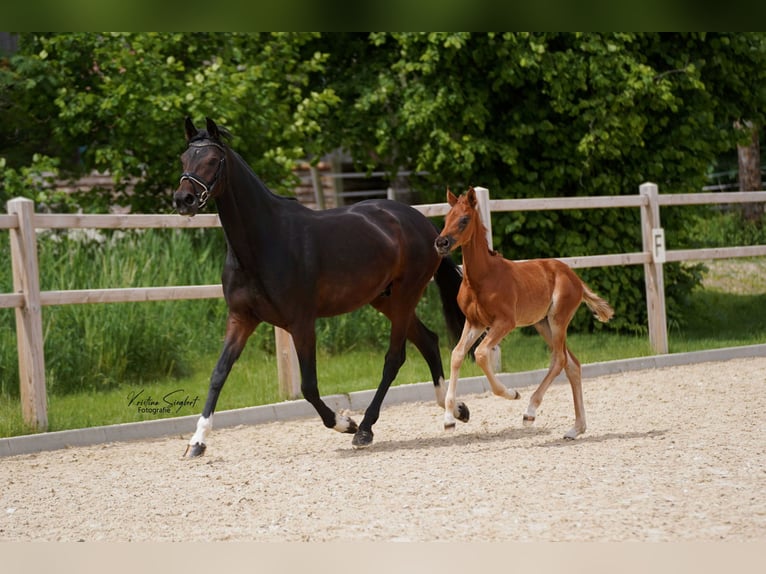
x=540, y=114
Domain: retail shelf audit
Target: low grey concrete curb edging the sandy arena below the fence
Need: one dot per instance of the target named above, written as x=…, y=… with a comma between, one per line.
x=357, y=401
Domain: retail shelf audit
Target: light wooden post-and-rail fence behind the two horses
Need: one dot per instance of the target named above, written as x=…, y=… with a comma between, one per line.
x=28, y=299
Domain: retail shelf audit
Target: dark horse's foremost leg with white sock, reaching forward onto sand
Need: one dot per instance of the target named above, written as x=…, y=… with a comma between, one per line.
x=238, y=330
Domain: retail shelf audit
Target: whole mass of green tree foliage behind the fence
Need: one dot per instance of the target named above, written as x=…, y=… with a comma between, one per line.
x=523, y=114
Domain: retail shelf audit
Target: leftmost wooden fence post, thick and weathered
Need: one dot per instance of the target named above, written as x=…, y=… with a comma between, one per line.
x=29, y=325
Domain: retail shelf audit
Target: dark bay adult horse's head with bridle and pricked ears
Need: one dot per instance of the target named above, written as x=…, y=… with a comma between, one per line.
x=202, y=165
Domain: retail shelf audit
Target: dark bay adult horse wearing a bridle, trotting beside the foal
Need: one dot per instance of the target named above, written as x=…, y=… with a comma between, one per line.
x=287, y=265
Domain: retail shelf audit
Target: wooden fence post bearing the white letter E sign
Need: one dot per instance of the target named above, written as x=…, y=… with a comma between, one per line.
x=653, y=239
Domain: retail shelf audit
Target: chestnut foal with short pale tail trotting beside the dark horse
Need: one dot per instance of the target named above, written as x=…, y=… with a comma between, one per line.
x=498, y=295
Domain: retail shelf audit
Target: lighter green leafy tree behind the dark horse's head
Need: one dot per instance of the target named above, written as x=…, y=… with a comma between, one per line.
x=116, y=103
